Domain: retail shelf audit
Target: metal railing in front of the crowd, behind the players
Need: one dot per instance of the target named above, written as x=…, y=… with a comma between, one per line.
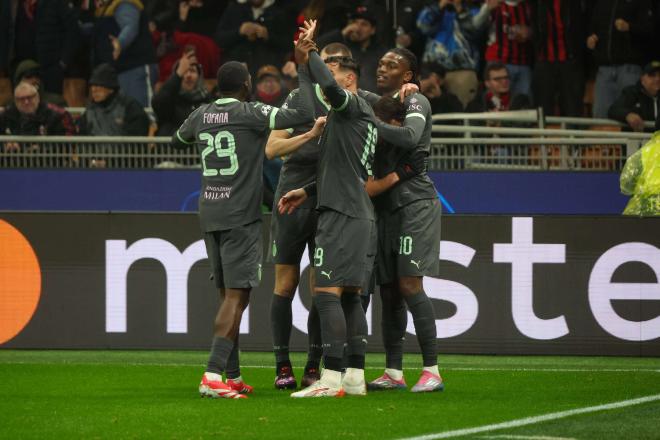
x=454, y=147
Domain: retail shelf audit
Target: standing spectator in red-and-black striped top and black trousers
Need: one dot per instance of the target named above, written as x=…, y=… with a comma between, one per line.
x=558, y=29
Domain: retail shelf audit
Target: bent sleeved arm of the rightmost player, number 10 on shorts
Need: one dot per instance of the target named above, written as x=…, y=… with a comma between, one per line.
x=407, y=136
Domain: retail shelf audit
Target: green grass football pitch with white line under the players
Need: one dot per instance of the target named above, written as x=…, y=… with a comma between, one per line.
x=153, y=394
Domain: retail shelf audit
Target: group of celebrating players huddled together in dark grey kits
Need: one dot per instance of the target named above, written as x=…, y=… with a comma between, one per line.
x=353, y=188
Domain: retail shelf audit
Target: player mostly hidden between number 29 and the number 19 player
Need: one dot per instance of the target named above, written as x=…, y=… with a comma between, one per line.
x=290, y=233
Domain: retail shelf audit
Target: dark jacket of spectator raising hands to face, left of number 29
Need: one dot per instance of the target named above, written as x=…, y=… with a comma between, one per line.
x=172, y=105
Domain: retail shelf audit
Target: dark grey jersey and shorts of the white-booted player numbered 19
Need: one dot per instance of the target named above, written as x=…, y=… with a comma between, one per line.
x=343, y=250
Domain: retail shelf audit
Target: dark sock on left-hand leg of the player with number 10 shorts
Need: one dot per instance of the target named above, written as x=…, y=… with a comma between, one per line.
x=393, y=326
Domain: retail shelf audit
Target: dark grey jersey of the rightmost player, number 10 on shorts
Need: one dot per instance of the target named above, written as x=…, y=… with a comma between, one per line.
x=414, y=136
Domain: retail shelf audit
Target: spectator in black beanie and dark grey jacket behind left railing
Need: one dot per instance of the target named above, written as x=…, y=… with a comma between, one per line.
x=111, y=113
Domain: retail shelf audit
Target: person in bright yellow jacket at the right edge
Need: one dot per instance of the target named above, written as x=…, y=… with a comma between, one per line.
x=640, y=178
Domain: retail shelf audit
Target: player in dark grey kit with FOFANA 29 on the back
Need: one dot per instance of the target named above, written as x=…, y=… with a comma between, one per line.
x=230, y=135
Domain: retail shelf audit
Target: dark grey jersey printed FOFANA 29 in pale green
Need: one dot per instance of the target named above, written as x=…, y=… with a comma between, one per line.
x=230, y=136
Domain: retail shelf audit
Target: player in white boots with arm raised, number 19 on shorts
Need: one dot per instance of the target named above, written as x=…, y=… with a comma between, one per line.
x=345, y=226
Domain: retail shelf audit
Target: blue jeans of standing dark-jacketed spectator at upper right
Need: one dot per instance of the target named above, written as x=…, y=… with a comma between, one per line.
x=610, y=81
